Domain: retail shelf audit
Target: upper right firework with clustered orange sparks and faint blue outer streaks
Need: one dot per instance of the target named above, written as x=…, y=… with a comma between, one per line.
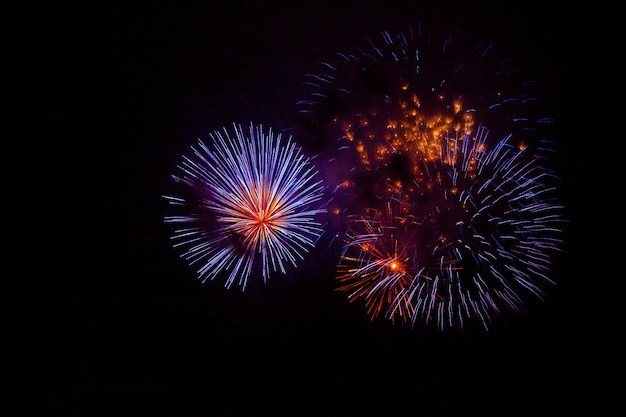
x=380, y=110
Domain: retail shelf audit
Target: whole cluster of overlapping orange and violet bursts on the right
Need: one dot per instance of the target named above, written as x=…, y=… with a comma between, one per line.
x=446, y=148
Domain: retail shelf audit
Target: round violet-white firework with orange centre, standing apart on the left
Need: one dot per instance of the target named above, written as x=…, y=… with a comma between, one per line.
x=249, y=203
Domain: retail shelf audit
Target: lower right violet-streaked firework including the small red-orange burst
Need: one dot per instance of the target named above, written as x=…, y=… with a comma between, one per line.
x=475, y=242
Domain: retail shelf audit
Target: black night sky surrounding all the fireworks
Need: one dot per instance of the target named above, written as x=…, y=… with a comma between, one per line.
x=101, y=315
